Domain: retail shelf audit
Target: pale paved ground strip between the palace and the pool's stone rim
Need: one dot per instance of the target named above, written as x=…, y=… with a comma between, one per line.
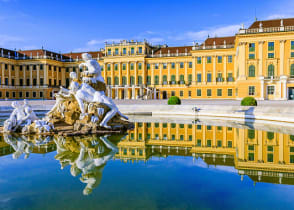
x=163, y=102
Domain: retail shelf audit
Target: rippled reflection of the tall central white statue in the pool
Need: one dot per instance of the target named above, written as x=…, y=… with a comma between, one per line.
x=86, y=157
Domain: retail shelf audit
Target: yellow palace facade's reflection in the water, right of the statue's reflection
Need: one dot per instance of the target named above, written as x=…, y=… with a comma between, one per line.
x=264, y=156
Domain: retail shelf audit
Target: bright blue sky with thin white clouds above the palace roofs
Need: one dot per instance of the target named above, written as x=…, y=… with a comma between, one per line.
x=71, y=25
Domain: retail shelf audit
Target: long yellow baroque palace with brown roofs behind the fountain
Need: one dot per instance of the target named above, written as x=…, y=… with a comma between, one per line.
x=258, y=62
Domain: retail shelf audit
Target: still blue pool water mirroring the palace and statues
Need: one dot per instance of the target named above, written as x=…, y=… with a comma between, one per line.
x=161, y=164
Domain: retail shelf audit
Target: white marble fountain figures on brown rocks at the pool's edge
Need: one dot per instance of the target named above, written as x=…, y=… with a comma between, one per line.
x=84, y=106
